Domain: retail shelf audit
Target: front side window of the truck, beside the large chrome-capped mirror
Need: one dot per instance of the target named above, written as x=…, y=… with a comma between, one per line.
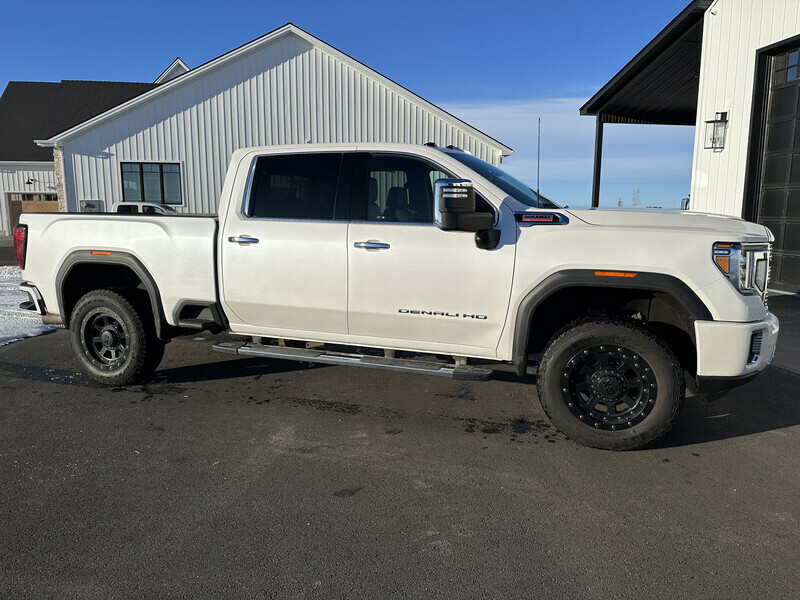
x=401, y=189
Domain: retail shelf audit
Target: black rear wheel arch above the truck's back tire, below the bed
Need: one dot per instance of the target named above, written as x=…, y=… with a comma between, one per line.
x=121, y=268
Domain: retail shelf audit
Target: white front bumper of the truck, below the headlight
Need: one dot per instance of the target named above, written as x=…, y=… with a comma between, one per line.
x=731, y=354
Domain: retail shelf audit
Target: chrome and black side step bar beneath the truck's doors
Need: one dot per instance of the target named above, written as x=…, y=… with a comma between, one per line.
x=461, y=372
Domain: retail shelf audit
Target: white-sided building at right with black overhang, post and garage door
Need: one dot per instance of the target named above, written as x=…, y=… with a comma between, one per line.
x=730, y=68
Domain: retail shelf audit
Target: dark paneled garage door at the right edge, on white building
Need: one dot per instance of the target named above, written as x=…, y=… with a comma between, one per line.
x=779, y=206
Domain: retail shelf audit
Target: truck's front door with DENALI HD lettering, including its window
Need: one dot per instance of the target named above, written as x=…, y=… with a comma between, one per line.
x=411, y=283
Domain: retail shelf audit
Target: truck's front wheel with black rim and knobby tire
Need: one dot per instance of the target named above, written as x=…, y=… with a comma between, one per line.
x=610, y=383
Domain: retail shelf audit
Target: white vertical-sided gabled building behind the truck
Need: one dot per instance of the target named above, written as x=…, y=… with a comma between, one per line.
x=286, y=87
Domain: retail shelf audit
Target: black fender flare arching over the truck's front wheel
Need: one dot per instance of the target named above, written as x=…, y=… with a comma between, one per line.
x=657, y=282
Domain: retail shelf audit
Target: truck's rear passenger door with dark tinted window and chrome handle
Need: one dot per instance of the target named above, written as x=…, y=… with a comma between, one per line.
x=283, y=252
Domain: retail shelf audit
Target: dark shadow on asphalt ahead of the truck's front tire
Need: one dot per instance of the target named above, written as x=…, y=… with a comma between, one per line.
x=766, y=404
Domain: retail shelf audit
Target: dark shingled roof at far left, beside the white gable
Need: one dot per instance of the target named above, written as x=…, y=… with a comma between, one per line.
x=33, y=110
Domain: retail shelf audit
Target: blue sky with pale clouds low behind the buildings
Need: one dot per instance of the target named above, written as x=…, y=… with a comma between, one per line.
x=497, y=65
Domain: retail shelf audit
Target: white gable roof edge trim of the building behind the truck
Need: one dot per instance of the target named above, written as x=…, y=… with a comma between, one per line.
x=288, y=29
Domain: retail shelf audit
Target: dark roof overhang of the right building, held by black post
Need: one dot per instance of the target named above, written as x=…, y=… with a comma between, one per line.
x=660, y=84
